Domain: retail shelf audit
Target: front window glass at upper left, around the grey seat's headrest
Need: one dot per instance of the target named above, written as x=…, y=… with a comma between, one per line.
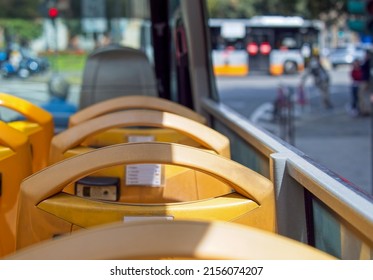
x=34, y=47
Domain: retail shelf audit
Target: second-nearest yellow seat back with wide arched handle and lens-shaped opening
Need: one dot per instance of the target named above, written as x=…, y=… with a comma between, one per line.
x=45, y=211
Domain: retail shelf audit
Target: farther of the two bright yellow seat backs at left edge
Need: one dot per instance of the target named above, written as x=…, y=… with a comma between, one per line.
x=38, y=126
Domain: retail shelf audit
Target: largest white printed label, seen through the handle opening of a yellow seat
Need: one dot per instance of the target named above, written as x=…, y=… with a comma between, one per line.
x=144, y=175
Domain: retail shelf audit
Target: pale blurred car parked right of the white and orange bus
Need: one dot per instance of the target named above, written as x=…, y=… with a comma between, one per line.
x=345, y=55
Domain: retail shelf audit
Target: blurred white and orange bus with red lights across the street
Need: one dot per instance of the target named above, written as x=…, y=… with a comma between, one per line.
x=273, y=44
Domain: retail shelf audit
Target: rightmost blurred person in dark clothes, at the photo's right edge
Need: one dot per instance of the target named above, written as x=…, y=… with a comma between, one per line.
x=364, y=88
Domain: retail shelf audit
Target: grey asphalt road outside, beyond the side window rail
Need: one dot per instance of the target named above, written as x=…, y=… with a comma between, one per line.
x=332, y=138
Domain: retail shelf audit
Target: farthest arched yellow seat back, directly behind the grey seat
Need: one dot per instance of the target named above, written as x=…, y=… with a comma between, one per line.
x=115, y=136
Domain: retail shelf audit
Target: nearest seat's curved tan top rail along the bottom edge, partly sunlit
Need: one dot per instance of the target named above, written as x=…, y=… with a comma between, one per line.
x=176, y=239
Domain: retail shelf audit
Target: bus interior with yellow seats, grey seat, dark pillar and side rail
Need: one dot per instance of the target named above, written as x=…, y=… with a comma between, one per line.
x=139, y=111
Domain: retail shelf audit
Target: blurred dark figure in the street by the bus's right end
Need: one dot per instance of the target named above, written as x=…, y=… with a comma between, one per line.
x=321, y=78
